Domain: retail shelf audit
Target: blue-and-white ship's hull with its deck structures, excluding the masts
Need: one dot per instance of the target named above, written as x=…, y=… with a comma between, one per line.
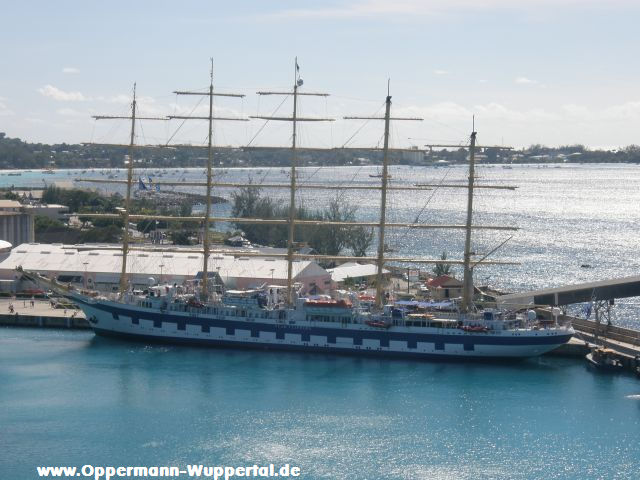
x=257, y=319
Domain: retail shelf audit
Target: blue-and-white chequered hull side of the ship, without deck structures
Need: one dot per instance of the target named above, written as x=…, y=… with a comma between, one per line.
x=187, y=328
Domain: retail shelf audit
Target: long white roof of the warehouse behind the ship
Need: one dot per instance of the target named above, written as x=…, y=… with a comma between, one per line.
x=98, y=259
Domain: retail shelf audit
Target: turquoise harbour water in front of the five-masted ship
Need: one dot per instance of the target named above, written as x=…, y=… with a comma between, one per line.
x=69, y=398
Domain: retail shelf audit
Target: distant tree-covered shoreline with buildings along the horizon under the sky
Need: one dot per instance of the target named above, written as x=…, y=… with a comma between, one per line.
x=16, y=154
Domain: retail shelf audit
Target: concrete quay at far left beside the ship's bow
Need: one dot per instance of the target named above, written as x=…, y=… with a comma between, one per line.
x=41, y=314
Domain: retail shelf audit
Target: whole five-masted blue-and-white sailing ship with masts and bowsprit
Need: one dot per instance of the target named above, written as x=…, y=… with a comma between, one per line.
x=280, y=317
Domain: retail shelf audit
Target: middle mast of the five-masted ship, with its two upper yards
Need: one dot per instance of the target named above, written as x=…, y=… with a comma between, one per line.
x=292, y=186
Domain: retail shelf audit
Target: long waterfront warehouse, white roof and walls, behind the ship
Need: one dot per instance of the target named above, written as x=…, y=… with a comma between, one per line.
x=98, y=267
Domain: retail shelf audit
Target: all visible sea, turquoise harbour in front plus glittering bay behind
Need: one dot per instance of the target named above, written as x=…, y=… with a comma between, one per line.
x=68, y=398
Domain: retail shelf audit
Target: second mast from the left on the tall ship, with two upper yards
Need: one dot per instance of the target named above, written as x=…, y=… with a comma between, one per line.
x=206, y=241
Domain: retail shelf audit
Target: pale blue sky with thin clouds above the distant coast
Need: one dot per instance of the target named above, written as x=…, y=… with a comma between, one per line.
x=551, y=72
